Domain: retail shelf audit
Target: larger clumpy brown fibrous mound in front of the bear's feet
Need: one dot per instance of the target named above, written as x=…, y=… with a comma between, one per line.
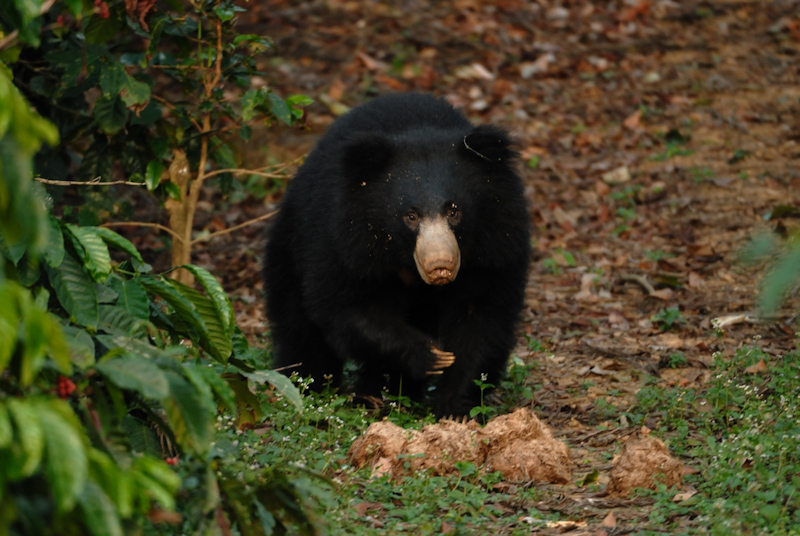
x=518, y=445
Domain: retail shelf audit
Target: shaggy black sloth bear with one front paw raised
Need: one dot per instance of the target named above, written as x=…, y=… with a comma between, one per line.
x=402, y=245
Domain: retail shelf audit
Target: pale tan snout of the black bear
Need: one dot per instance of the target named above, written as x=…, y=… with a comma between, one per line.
x=436, y=253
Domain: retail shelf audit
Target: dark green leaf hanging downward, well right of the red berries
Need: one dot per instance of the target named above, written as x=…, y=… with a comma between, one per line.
x=188, y=414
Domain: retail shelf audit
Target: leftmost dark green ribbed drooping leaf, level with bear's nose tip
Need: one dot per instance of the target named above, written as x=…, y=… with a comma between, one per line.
x=75, y=291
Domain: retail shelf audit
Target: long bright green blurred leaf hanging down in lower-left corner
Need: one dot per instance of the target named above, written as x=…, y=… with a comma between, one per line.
x=66, y=465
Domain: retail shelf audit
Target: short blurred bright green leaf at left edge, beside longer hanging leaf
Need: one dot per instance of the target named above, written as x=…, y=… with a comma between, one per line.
x=28, y=446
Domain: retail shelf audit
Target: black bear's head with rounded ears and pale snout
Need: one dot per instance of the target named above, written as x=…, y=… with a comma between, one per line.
x=428, y=199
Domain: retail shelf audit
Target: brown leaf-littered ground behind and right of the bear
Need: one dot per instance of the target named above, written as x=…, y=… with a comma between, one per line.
x=655, y=136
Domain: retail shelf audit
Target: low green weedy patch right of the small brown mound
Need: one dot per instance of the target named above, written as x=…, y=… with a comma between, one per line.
x=741, y=433
